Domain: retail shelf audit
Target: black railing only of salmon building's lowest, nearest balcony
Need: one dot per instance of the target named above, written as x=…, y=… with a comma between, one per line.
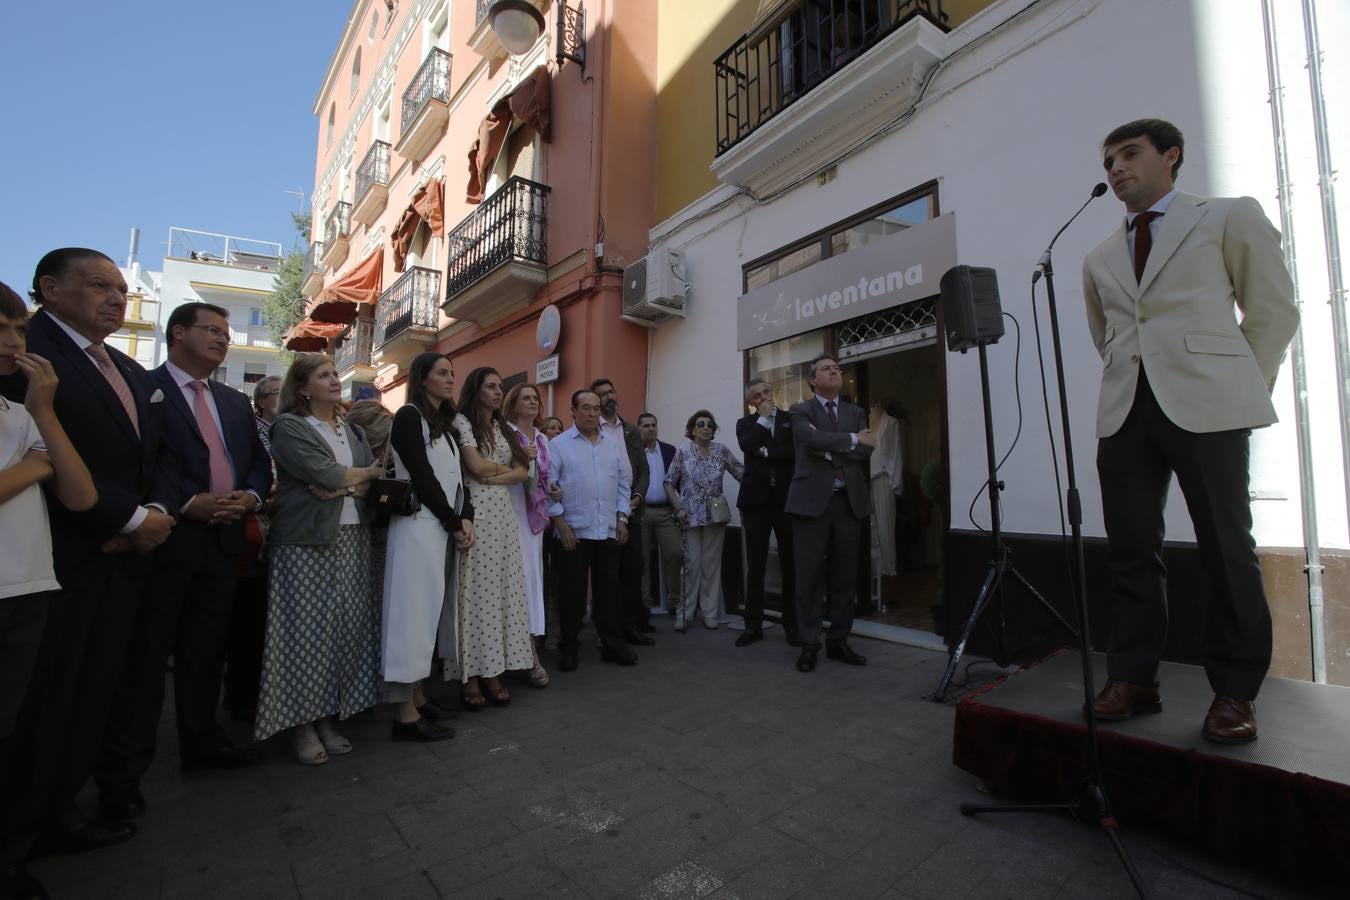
x=511, y=226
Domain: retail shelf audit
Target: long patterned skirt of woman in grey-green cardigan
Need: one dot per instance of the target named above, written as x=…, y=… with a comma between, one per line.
x=322, y=654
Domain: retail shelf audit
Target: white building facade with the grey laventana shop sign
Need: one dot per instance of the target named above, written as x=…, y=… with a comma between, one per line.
x=836, y=217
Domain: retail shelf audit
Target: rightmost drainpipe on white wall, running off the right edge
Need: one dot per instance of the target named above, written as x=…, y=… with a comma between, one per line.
x=1330, y=235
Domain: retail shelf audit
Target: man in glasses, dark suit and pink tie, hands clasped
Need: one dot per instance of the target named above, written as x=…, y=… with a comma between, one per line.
x=225, y=474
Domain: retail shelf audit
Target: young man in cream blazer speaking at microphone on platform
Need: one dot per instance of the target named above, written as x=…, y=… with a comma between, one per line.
x=1183, y=385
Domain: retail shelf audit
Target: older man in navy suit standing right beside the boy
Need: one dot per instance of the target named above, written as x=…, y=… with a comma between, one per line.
x=113, y=414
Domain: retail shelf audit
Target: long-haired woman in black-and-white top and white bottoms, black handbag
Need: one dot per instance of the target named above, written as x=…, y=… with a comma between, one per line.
x=423, y=549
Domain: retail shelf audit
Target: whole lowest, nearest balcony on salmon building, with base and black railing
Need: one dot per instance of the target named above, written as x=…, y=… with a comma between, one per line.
x=499, y=256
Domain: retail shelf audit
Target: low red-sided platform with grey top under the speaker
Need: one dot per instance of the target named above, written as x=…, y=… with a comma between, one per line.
x=1282, y=804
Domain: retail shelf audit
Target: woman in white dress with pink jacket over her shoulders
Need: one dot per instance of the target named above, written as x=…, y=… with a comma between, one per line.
x=531, y=503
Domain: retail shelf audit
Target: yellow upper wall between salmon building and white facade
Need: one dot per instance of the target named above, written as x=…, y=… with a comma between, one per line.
x=691, y=36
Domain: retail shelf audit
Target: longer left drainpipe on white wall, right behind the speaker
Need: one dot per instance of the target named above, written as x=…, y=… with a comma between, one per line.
x=1307, y=493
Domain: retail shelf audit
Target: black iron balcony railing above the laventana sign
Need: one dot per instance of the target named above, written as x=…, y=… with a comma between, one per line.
x=766, y=72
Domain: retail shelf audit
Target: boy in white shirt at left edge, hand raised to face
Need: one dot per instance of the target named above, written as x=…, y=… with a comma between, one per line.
x=34, y=450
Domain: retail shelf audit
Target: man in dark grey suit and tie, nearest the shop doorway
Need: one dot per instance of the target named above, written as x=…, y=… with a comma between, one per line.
x=828, y=500
